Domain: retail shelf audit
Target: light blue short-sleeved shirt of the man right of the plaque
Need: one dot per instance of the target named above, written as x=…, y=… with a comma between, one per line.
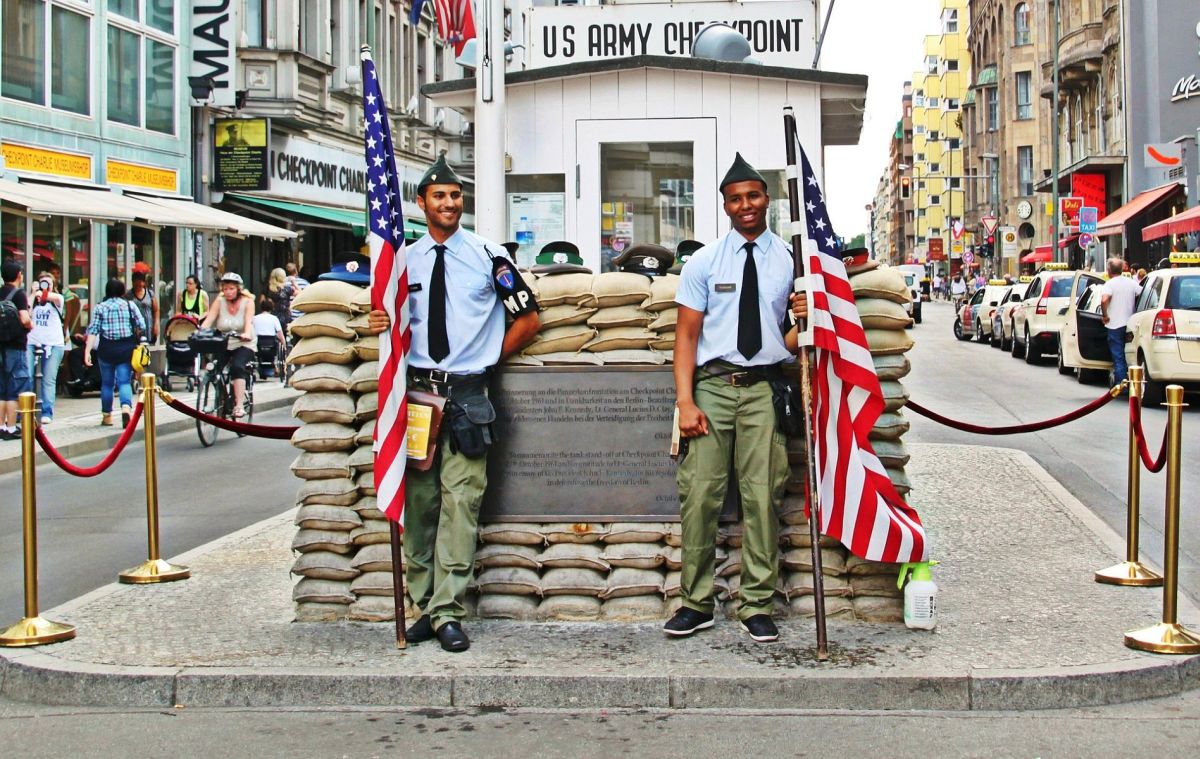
x=711, y=283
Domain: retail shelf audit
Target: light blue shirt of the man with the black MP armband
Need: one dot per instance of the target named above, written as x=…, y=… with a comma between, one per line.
x=475, y=315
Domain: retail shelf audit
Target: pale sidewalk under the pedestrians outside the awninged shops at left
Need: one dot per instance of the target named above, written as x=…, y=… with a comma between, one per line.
x=76, y=429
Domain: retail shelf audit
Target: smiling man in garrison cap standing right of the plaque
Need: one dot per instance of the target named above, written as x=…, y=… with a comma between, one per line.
x=731, y=342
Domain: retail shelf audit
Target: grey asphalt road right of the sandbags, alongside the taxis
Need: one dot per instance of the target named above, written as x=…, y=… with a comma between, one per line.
x=981, y=385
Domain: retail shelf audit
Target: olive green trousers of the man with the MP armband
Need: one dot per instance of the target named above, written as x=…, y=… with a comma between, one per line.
x=441, y=530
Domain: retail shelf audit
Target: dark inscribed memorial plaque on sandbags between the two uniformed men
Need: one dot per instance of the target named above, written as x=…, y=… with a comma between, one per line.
x=583, y=445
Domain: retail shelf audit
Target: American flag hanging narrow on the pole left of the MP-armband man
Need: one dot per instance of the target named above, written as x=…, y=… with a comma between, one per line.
x=389, y=292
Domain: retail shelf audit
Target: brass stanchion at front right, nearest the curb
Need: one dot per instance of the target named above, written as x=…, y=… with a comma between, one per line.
x=1169, y=637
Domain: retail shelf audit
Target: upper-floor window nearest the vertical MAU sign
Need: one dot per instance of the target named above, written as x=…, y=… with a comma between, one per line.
x=142, y=67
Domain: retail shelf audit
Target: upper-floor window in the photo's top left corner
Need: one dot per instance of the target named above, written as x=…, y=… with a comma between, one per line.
x=23, y=63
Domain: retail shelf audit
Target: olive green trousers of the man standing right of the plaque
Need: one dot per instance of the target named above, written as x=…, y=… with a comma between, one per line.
x=741, y=432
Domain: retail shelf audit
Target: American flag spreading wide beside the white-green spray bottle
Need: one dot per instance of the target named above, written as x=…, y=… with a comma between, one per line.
x=860, y=506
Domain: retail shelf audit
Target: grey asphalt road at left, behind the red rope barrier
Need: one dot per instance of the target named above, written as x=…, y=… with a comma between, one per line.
x=89, y=530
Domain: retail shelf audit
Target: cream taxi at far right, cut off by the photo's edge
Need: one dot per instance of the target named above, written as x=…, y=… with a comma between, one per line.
x=1165, y=333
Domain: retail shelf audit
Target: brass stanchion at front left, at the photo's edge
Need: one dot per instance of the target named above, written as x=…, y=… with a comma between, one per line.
x=32, y=631
